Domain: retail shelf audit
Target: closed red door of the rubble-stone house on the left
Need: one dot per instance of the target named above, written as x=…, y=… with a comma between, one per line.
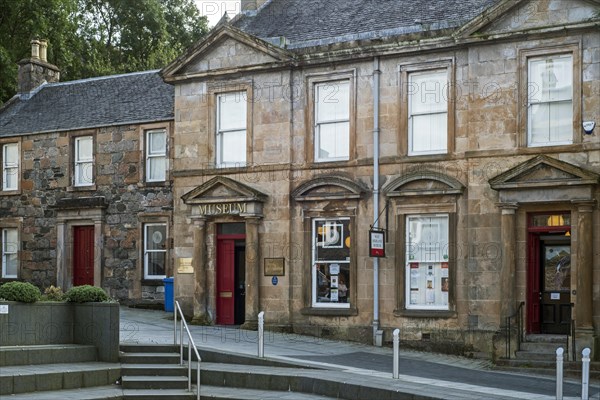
x=83, y=255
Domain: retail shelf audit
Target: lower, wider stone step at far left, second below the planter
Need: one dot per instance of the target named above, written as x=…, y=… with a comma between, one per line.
x=45, y=377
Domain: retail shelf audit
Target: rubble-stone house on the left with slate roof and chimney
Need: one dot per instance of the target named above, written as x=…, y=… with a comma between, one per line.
x=86, y=192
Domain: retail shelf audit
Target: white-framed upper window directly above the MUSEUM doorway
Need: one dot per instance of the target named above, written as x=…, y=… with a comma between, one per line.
x=231, y=129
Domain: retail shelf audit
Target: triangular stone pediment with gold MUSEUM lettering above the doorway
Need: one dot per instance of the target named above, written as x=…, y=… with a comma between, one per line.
x=224, y=196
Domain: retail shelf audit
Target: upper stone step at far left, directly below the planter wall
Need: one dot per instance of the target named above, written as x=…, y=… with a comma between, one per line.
x=46, y=354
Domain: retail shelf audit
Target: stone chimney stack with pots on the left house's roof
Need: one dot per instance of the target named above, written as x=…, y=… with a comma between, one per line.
x=36, y=70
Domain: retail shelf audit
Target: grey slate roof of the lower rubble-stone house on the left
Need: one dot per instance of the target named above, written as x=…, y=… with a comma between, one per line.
x=89, y=103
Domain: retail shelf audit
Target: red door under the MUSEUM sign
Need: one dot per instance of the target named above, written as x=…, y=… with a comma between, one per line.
x=225, y=282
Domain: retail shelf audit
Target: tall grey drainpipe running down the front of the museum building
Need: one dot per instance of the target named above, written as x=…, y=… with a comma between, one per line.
x=377, y=334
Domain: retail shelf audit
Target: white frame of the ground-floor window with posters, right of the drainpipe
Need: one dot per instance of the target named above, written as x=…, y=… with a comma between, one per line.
x=441, y=250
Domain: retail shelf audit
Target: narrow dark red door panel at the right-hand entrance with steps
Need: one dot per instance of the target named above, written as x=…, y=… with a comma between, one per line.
x=533, y=283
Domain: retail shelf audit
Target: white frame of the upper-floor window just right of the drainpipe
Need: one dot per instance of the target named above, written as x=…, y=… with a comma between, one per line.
x=424, y=92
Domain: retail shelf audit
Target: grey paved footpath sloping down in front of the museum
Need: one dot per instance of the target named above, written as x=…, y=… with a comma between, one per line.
x=432, y=370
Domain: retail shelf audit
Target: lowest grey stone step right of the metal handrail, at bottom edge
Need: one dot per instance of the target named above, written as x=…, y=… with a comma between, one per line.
x=219, y=392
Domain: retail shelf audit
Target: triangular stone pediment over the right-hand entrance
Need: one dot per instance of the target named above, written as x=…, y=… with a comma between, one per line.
x=545, y=179
